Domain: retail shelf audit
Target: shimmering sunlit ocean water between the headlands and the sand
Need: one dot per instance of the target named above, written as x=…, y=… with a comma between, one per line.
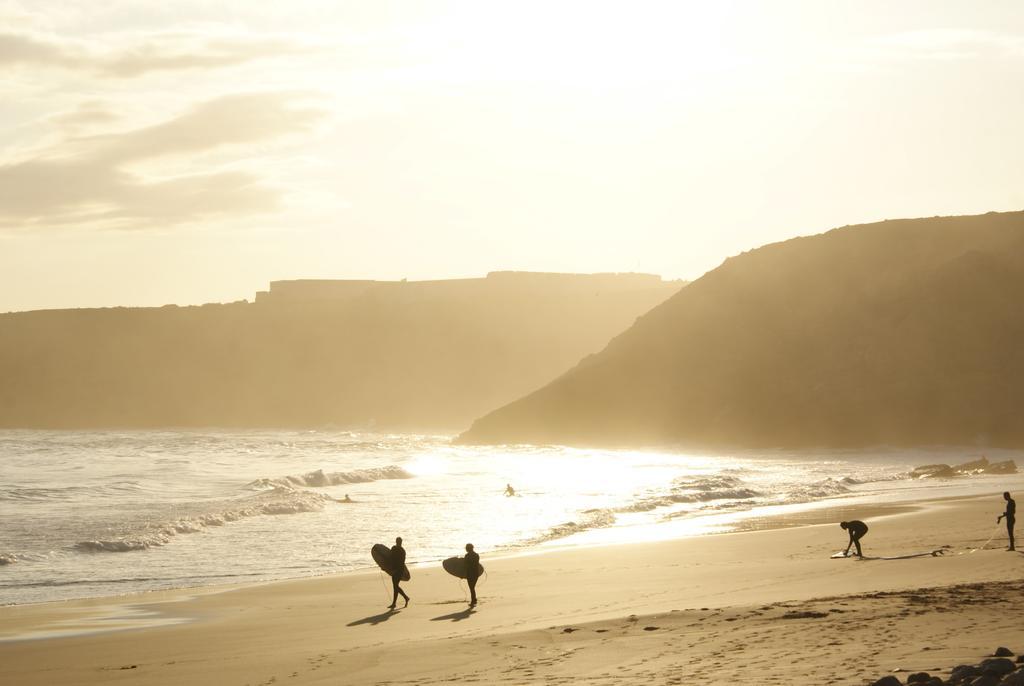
x=104, y=513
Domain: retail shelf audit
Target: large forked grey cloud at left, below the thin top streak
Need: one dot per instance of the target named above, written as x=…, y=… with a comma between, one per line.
x=96, y=182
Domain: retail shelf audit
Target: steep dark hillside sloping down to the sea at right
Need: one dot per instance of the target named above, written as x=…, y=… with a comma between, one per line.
x=906, y=332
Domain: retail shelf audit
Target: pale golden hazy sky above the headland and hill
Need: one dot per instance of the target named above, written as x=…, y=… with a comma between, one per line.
x=194, y=151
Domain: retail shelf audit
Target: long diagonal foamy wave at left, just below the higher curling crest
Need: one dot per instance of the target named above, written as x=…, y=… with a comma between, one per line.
x=279, y=501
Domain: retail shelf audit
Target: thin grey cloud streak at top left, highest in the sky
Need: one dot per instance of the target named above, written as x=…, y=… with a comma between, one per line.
x=127, y=57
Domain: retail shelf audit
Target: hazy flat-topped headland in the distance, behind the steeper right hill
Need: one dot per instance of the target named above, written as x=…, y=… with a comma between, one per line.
x=402, y=356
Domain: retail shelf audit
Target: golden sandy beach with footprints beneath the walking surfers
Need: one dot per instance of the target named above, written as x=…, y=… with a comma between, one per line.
x=765, y=607
